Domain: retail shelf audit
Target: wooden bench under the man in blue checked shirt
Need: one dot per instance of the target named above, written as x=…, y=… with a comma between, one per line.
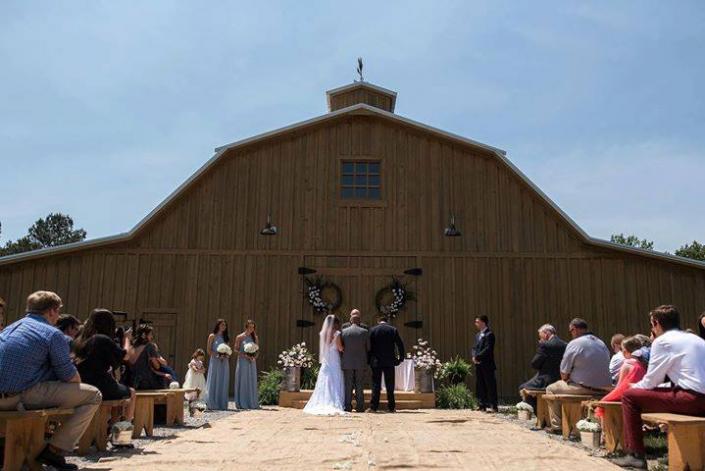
x=24, y=436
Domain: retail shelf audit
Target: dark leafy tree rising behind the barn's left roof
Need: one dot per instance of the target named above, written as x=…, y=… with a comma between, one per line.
x=55, y=229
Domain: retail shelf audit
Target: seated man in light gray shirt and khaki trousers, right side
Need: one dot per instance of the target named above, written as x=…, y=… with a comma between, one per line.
x=584, y=369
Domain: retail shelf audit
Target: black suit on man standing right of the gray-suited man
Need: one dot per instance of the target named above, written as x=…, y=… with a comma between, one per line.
x=386, y=352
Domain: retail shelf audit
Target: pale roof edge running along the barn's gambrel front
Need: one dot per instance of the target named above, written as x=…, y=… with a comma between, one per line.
x=357, y=109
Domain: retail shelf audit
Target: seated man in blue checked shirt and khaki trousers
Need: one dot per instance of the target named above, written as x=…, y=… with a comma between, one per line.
x=37, y=372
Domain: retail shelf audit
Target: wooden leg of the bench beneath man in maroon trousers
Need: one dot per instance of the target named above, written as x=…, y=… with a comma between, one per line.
x=686, y=447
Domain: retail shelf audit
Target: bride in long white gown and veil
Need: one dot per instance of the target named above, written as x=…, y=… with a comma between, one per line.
x=328, y=395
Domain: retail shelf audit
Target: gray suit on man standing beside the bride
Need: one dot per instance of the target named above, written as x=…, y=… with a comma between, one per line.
x=356, y=343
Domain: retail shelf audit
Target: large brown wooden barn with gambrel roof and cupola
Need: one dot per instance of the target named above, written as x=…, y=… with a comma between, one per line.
x=360, y=194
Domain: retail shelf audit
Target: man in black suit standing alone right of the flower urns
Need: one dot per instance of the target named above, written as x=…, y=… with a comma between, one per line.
x=483, y=358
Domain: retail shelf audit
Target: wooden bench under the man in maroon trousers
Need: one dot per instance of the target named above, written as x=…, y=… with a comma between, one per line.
x=686, y=439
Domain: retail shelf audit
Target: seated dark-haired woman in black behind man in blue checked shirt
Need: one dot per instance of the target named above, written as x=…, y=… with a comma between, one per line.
x=98, y=356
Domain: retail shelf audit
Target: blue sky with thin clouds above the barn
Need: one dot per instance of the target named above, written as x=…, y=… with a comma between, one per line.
x=106, y=107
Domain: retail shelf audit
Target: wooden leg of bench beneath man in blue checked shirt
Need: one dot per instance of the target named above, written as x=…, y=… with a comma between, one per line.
x=24, y=439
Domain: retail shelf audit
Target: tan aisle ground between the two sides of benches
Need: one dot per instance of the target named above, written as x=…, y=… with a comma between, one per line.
x=285, y=439
